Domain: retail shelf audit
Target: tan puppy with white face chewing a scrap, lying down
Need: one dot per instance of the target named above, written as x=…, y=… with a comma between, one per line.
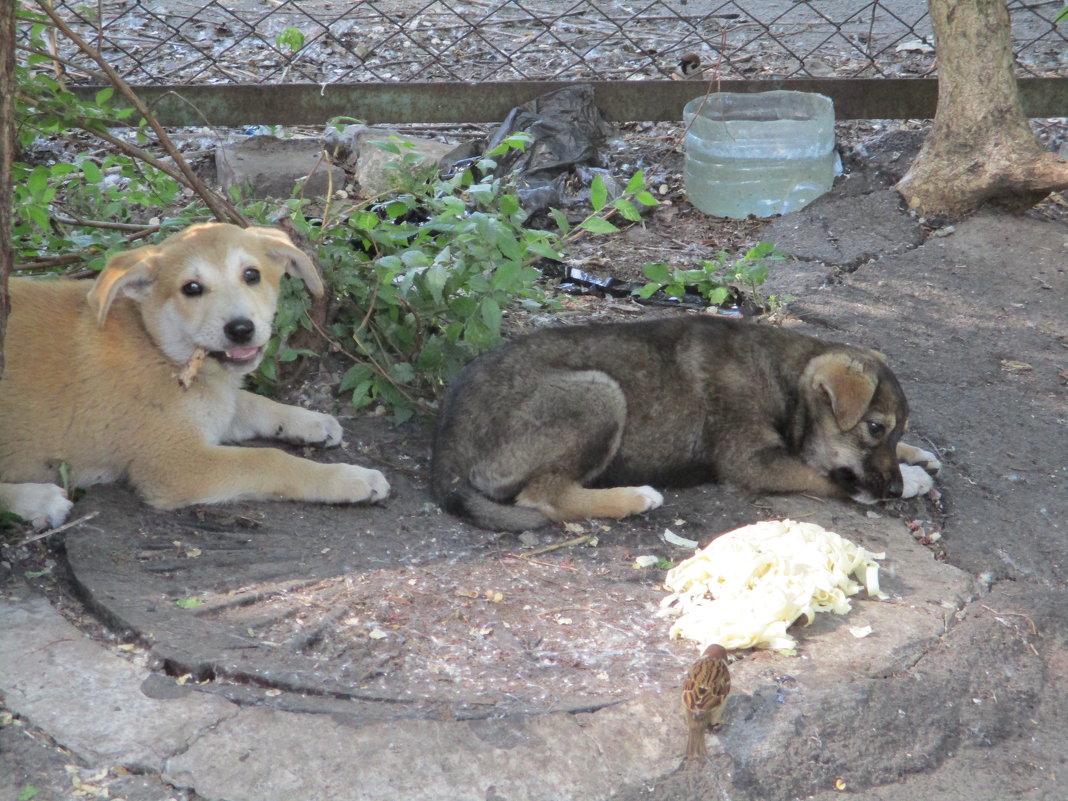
x=93, y=382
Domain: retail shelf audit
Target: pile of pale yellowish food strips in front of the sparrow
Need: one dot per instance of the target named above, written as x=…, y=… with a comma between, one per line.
x=747, y=587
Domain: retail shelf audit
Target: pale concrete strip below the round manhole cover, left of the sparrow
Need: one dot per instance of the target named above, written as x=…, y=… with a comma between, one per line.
x=265, y=756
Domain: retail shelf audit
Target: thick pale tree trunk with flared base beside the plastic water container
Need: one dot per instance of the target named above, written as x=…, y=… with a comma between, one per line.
x=981, y=148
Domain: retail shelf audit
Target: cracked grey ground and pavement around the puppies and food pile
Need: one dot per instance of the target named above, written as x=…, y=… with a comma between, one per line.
x=400, y=619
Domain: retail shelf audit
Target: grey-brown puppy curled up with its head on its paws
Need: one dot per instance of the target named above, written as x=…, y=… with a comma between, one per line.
x=576, y=422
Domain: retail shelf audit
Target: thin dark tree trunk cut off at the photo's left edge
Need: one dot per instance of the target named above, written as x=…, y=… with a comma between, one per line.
x=7, y=155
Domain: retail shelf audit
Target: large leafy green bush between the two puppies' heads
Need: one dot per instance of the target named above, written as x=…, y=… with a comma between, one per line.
x=421, y=281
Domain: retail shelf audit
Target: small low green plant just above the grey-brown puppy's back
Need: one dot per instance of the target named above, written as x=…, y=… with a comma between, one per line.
x=717, y=280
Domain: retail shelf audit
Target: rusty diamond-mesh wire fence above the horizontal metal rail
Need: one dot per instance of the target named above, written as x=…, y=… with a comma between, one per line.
x=184, y=42
